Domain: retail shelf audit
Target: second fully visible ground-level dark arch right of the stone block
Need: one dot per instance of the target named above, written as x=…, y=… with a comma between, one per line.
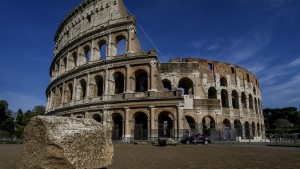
x=141, y=126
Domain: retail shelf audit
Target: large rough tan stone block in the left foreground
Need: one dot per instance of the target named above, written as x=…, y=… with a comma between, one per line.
x=52, y=142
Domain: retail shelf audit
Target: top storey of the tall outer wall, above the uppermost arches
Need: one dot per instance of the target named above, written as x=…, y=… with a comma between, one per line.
x=90, y=15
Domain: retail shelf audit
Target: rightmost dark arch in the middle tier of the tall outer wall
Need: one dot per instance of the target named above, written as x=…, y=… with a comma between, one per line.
x=141, y=81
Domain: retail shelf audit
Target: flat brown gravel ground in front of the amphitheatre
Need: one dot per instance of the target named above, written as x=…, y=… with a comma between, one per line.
x=128, y=156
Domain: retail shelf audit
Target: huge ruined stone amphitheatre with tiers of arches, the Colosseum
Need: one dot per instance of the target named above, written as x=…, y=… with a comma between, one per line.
x=99, y=71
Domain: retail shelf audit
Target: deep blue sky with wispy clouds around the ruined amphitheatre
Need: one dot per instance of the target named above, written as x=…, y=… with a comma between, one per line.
x=262, y=36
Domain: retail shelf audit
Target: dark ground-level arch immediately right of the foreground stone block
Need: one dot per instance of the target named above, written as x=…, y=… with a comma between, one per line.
x=117, y=132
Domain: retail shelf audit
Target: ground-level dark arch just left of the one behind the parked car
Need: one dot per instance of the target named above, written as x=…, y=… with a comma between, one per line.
x=165, y=125
